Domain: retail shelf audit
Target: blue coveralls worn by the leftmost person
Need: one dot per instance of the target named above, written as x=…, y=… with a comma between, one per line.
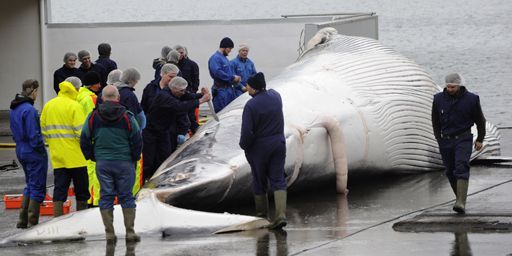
x=30, y=149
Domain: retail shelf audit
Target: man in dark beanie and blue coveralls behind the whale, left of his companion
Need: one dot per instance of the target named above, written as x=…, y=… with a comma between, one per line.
x=223, y=76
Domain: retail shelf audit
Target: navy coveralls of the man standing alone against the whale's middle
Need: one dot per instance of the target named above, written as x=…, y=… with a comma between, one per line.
x=262, y=139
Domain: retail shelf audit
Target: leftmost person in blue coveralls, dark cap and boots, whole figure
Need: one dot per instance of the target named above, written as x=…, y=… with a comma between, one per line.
x=30, y=151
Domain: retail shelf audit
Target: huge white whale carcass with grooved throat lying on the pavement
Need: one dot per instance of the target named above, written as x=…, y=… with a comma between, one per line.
x=350, y=105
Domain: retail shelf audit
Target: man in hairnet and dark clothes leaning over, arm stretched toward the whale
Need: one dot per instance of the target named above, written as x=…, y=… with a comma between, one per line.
x=168, y=107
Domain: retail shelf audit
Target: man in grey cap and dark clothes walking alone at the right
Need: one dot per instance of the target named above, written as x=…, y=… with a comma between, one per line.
x=454, y=111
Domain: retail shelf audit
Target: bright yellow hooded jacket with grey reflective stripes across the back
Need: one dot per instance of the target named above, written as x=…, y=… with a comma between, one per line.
x=61, y=123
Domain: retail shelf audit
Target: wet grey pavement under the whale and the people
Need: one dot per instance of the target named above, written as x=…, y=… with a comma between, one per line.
x=322, y=222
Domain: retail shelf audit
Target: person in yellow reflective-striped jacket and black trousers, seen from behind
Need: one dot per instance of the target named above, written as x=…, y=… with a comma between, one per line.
x=61, y=123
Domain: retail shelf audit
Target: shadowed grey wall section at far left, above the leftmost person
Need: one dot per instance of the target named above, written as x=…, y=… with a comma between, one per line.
x=20, y=51
